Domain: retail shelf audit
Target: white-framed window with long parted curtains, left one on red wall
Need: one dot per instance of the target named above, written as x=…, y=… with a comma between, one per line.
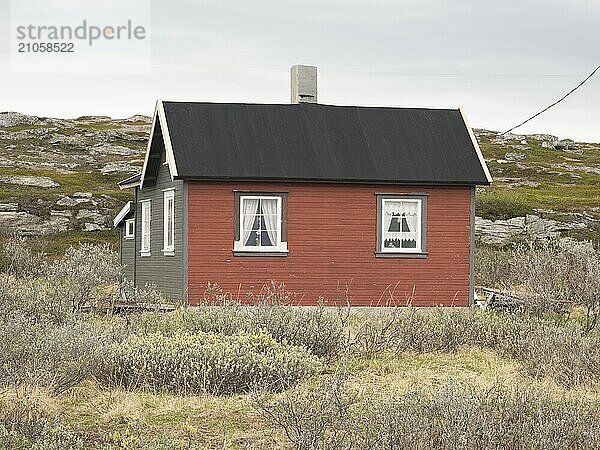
x=259, y=224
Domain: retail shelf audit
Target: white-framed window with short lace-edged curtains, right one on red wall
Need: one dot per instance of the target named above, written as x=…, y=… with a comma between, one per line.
x=401, y=225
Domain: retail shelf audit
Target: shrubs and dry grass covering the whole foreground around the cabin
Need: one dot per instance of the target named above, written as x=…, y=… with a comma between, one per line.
x=76, y=375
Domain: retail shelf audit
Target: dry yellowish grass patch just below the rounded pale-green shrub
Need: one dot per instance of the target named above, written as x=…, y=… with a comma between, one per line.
x=213, y=422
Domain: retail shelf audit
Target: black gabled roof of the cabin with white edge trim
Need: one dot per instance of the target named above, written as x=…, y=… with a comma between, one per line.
x=313, y=142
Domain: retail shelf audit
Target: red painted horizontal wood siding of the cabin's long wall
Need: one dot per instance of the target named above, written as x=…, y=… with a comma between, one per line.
x=331, y=242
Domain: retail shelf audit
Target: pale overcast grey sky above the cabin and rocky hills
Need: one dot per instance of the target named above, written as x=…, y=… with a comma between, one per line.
x=500, y=61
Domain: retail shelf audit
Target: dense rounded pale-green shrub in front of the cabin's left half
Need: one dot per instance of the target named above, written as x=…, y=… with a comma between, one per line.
x=205, y=363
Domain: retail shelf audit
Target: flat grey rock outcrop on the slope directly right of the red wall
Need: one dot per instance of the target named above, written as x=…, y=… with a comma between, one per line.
x=530, y=227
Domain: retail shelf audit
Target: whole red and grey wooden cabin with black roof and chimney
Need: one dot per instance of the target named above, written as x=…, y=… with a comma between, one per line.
x=374, y=204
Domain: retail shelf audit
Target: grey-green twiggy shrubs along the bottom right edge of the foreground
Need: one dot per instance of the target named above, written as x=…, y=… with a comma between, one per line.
x=453, y=416
